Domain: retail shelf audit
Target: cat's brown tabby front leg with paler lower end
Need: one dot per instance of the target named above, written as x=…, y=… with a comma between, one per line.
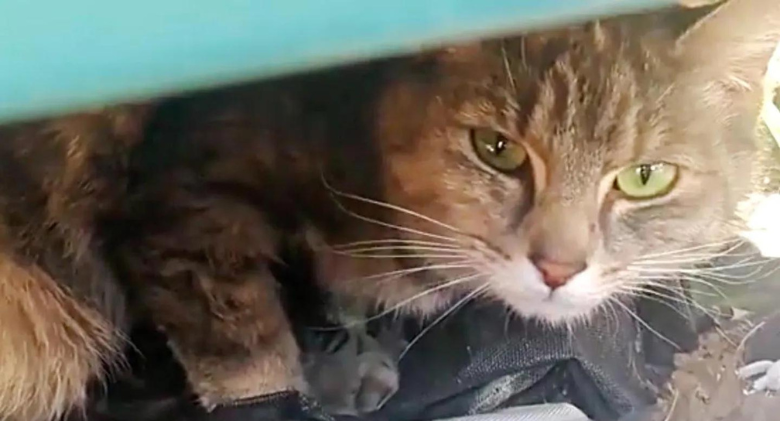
x=203, y=278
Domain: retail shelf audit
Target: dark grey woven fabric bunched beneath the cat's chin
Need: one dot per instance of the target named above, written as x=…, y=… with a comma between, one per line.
x=478, y=361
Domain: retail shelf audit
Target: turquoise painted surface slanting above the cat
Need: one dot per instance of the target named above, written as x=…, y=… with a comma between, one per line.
x=57, y=55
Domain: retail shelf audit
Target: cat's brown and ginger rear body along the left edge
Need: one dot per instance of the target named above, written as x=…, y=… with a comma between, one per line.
x=62, y=312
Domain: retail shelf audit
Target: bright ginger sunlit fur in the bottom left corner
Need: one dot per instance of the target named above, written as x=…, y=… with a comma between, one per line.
x=52, y=346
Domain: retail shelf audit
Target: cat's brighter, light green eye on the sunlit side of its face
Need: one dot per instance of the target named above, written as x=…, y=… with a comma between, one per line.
x=646, y=181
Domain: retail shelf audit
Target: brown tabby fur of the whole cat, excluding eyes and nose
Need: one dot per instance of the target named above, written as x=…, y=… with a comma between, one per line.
x=193, y=209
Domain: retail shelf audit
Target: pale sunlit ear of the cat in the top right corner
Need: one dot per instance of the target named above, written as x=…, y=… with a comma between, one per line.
x=729, y=49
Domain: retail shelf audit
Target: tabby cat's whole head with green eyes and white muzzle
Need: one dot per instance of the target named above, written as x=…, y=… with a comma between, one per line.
x=563, y=168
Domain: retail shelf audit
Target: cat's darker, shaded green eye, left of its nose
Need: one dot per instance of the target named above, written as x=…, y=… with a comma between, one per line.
x=497, y=151
